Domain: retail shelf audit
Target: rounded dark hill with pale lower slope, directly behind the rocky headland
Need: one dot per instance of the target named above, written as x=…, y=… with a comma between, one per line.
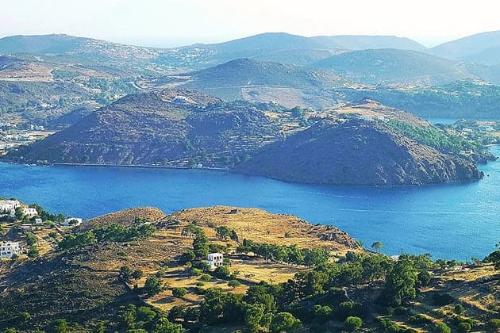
x=254, y=80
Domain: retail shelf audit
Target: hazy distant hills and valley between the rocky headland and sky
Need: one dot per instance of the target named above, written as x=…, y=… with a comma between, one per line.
x=45, y=77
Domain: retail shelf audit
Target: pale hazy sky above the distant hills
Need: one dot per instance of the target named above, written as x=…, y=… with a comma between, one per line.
x=173, y=22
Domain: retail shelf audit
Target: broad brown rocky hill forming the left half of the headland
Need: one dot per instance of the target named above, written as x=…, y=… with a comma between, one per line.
x=169, y=128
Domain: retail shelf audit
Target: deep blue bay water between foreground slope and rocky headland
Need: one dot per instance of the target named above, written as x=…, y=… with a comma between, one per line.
x=457, y=221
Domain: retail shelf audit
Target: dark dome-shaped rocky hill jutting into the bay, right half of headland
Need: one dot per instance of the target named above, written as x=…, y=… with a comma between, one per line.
x=356, y=151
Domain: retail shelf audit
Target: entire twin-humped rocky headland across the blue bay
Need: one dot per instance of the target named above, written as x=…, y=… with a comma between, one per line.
x=361, y=144
